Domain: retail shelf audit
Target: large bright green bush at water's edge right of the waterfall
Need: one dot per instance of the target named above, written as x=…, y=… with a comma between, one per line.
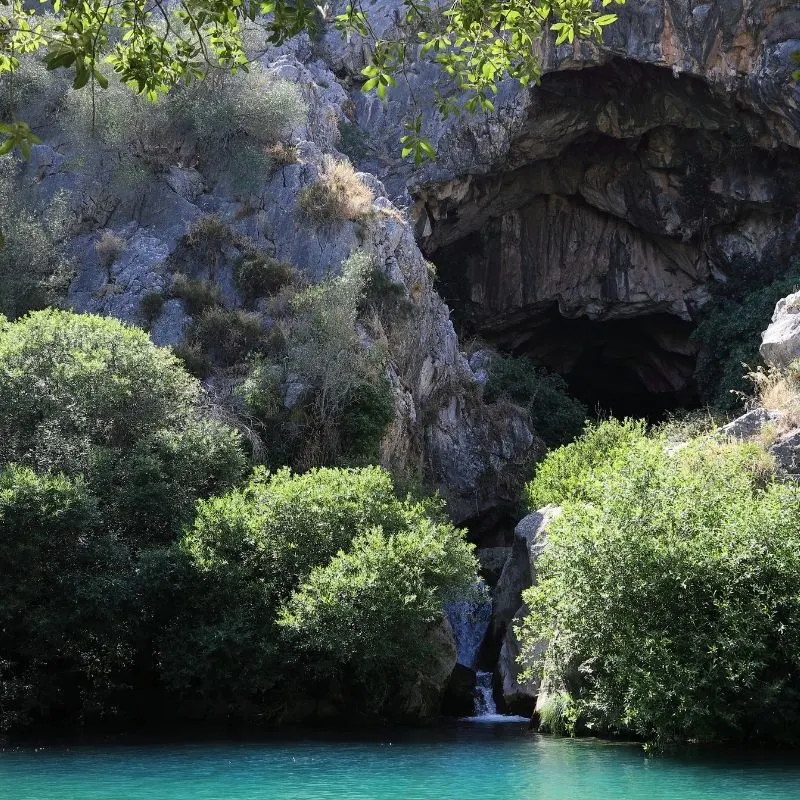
x=668, y=588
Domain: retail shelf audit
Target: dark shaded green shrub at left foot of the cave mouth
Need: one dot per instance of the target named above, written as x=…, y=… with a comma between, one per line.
x=557, y=417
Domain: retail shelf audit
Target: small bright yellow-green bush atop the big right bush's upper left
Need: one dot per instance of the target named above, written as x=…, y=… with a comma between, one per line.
x=578, y=470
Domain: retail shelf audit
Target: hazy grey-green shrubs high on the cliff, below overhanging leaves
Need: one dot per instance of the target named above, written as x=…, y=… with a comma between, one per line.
x=227, y=120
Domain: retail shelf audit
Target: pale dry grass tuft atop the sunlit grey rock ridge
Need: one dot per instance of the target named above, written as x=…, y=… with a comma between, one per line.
x=338, y=195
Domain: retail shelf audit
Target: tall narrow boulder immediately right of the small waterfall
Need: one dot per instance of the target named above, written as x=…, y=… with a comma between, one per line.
x=519, y=571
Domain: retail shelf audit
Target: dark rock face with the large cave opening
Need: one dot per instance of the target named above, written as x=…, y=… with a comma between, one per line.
x=639, y=171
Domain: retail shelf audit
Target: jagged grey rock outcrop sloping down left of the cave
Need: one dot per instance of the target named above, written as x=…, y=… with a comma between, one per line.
x=475, y=454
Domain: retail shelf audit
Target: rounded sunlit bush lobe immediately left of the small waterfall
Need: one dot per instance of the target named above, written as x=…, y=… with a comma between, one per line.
x=386, y=589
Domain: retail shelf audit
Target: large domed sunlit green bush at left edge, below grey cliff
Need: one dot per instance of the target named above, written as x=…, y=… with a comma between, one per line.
x=91, y=396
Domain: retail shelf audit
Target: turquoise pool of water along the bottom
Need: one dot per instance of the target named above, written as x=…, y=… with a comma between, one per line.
x=460, y=762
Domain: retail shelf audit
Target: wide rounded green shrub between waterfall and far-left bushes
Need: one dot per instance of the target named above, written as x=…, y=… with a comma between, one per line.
x=287, y=557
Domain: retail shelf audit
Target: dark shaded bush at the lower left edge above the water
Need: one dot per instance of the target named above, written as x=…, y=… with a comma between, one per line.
x=61, y=588
